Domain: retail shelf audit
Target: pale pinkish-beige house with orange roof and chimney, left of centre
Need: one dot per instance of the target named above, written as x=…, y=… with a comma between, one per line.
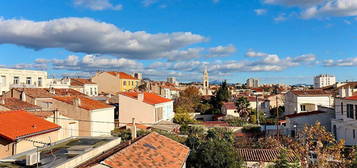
x=144, y=107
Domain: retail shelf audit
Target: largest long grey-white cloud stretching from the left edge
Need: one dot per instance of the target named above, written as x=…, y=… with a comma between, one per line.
x=93, y=37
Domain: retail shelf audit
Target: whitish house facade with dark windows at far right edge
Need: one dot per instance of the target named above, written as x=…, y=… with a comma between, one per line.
x=345, y=124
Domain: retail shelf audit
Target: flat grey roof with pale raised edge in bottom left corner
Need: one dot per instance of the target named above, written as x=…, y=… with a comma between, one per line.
x=62, y=152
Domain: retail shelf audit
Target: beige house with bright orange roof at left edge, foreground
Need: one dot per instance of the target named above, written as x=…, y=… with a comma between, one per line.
x=19, y=129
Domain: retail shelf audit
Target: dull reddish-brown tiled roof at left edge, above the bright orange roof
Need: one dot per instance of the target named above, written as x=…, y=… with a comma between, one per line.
x=16, y=104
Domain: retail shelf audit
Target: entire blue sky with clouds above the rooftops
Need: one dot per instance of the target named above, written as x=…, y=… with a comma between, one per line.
x=278, y=41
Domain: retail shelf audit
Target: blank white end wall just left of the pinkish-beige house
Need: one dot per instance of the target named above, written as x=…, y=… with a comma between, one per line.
x=105, y=124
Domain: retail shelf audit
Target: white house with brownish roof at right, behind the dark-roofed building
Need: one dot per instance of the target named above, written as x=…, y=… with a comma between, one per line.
x=298, y=101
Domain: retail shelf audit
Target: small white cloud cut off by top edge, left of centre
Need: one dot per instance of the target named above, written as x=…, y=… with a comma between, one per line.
x=98, y=5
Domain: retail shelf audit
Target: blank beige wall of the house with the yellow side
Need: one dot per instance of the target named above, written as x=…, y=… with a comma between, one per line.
x=107, y=83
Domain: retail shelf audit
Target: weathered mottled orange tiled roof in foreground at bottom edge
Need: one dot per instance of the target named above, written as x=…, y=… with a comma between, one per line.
x=153, y=150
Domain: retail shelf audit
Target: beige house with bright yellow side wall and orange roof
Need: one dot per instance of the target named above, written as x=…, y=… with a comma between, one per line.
x=114, y=82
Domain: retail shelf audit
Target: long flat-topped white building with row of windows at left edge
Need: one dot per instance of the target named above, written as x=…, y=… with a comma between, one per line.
x=12, y=78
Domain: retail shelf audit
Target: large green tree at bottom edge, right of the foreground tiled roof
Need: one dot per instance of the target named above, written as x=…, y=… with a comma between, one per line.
x=215, y=149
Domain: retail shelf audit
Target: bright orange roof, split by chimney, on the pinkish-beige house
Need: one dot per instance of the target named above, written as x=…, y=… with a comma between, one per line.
x=150, y=98
